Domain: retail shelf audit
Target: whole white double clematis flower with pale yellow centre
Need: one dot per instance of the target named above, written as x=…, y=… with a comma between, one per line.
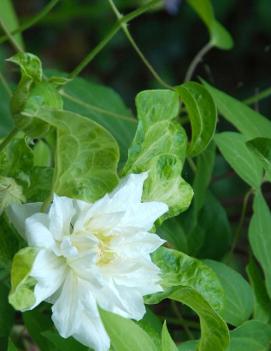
x=93, y=255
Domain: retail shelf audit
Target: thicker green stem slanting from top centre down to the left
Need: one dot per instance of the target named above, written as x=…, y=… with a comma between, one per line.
x=110, y=35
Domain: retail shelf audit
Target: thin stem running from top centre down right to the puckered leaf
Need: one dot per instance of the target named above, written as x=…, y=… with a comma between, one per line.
x=136, y=48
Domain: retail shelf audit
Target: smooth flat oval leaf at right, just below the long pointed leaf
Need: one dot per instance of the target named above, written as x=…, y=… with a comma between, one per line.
x=241, y=159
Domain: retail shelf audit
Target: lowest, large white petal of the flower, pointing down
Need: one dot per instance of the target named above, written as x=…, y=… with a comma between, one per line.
x=75, y=314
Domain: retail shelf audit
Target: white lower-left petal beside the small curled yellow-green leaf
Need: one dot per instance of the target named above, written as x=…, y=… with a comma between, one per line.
x=49, y=272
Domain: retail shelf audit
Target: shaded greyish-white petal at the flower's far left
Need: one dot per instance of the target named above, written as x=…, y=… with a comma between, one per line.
x=17, y=215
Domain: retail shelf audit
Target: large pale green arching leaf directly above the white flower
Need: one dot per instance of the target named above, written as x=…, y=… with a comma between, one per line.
x=87, y=156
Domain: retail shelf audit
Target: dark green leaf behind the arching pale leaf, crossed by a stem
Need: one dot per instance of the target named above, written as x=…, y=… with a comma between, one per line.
x=104, y=106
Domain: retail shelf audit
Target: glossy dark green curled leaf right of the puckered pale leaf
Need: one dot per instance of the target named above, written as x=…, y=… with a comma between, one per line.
x=202, y=113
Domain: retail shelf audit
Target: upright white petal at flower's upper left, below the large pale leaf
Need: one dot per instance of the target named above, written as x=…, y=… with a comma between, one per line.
x=60, y=214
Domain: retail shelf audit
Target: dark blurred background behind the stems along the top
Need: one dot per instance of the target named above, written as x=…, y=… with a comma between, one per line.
x=168, y=41
